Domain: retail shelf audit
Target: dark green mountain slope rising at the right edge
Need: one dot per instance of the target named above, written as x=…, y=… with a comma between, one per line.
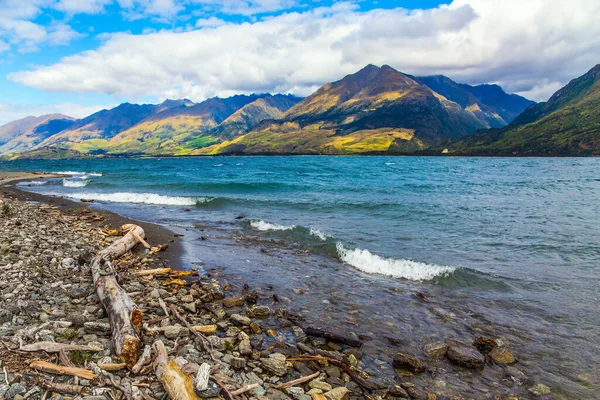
x=568, y=124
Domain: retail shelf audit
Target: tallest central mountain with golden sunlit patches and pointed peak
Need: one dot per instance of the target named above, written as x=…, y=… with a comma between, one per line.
x=377, y=109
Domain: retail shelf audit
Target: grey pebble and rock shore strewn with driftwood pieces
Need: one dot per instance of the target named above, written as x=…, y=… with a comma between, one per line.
x=54, y=304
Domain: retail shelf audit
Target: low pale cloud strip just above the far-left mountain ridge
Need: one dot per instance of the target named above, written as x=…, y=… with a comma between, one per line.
x=12, y=112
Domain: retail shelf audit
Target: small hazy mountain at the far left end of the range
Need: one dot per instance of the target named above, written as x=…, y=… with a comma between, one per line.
x=24, y=134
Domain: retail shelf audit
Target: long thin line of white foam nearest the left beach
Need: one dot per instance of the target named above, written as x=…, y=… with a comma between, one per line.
x=140, y=198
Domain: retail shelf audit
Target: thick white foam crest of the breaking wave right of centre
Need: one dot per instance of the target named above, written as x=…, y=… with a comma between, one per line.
x=365, y=261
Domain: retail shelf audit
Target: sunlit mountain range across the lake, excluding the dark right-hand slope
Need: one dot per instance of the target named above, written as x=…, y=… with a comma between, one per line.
x=375, y=110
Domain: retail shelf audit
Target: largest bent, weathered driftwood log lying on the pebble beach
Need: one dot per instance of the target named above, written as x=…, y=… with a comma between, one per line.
x=125, y=316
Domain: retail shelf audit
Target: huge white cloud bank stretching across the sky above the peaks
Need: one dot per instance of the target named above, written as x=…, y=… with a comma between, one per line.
x=529, y=47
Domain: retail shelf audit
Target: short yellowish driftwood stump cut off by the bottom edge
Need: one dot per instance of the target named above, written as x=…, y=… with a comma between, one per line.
x=177, y=384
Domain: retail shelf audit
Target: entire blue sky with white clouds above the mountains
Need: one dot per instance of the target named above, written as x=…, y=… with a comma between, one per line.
x=79, y=56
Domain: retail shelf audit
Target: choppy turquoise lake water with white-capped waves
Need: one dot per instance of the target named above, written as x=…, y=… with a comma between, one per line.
x=504, y=245
